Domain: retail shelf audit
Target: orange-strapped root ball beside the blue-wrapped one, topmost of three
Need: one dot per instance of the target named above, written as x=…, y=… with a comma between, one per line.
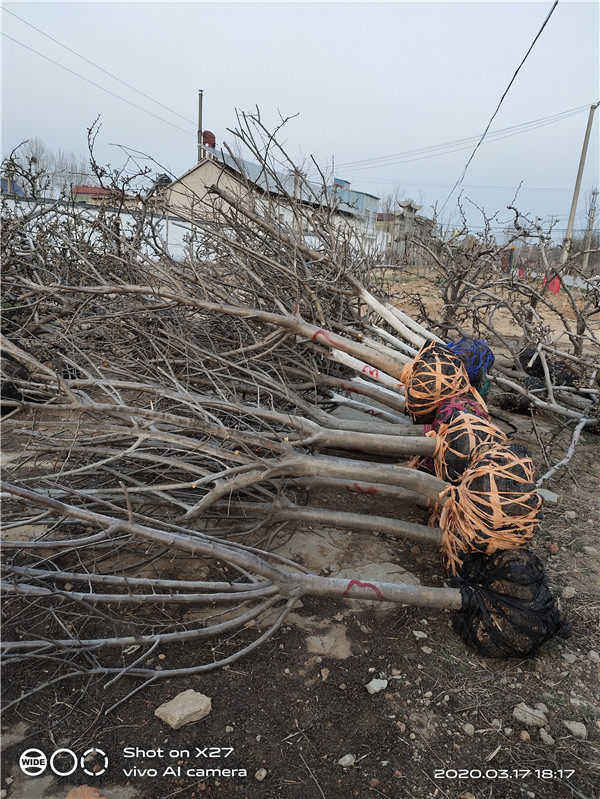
x=431, y=377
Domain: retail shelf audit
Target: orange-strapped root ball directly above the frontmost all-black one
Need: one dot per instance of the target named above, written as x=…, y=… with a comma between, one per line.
x=495, y=506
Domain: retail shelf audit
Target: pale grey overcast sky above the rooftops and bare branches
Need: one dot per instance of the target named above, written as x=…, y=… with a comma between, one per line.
x=367, y=80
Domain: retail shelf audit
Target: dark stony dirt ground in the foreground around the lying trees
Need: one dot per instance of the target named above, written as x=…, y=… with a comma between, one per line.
x=299, y=704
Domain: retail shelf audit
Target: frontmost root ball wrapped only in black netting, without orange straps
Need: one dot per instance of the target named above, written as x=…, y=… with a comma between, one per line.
x=508, y=608
